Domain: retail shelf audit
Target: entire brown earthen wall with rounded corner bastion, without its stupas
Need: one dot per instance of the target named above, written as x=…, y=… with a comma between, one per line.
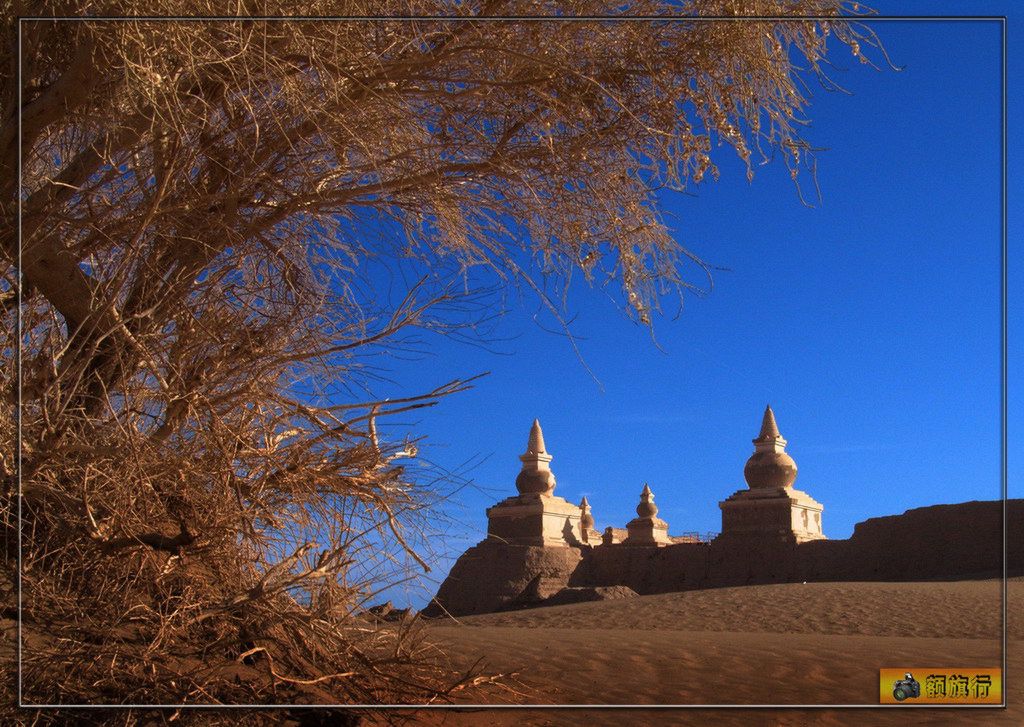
x=941, y=542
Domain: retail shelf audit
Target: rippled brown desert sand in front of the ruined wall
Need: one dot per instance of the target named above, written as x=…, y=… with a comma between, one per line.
x=817, y=644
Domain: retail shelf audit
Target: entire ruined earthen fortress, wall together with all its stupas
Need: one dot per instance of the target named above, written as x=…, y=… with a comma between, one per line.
x=543, y=550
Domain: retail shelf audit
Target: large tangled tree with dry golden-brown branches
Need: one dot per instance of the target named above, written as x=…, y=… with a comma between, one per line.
x=203, y=479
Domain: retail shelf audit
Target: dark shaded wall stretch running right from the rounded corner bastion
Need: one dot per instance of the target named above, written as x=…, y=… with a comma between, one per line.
x=940, y=542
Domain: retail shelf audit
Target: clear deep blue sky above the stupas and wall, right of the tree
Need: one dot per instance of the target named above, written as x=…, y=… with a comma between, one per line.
x=871, y=323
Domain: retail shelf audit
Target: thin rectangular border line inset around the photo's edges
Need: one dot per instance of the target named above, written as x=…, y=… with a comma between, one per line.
x=838, y=19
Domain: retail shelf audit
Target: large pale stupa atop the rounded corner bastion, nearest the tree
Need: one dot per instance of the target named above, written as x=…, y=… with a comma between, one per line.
x=536, y=517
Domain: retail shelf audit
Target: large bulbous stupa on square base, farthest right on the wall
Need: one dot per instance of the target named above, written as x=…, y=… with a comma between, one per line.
x=772, y=508
